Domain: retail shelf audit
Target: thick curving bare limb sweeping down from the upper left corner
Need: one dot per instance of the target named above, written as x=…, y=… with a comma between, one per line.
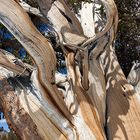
x=37, y=46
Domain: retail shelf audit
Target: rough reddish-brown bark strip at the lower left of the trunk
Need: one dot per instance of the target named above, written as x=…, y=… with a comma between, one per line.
x=17, y=118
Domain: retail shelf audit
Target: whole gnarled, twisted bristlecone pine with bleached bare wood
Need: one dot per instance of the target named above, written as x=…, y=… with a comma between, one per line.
x=93, y=101
